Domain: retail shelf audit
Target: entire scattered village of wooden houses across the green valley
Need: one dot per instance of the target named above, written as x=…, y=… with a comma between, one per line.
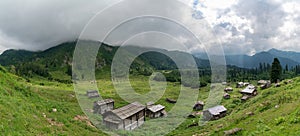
x=134, y=115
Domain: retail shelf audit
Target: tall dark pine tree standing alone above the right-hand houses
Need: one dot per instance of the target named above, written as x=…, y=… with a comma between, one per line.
x=276, y=70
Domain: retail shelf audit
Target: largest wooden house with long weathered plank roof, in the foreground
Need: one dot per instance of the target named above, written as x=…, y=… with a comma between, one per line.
x=128, y=117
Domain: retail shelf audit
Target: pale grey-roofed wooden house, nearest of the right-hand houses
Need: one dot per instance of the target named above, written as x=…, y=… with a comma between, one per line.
x=214, y=113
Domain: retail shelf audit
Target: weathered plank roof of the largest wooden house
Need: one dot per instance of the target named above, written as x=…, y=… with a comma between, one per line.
x=127, y=111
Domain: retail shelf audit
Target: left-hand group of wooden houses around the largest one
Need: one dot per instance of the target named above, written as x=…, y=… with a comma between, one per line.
x=128, y=117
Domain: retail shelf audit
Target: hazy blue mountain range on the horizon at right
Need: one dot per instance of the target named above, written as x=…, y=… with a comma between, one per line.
x=245, y=61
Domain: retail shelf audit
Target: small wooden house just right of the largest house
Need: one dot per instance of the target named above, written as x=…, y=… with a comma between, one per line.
x=156, y=111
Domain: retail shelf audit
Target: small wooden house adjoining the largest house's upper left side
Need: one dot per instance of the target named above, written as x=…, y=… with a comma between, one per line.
x=102, y=106
